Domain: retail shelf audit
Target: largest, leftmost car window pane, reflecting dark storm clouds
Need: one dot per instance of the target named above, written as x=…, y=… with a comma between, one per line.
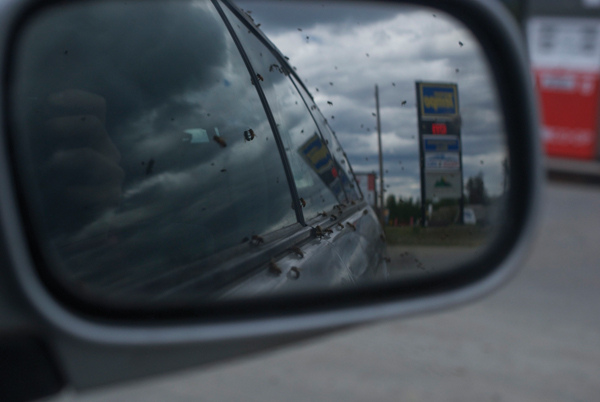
x=145, y=150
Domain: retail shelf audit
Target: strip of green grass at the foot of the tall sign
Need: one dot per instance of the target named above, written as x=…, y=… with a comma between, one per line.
x=466, y=236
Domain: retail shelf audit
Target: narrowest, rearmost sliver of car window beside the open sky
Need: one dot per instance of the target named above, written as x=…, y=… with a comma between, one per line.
x=341, y=161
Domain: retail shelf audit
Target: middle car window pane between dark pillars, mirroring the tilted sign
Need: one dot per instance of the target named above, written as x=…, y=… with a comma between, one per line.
x=312, y=164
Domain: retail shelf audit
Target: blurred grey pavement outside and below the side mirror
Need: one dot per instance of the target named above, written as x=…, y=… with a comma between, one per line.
x=538, y=339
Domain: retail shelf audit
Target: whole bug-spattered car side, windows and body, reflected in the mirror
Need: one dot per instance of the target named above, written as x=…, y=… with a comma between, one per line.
x=176, y=232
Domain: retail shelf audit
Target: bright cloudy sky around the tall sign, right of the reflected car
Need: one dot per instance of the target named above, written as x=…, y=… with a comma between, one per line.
x=354, y=47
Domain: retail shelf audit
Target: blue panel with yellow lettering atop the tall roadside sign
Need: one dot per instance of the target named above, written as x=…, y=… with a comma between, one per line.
x=439, y=100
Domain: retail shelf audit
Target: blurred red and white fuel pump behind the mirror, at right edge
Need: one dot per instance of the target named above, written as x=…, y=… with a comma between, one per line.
x=565, y=56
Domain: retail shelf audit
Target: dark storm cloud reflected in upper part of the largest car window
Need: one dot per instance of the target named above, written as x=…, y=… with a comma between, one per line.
x=127, y=53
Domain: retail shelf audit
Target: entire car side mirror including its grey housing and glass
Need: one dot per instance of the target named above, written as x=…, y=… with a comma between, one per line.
x=177, y=189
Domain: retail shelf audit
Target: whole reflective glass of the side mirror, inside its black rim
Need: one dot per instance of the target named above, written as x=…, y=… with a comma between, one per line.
x=168, y=152
